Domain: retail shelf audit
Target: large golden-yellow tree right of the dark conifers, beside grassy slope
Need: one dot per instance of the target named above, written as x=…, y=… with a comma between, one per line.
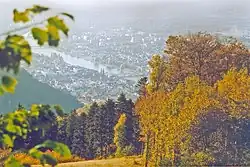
x=168, y=117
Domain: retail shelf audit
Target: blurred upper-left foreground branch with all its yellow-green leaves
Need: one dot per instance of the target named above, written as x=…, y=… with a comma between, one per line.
x=15, y=48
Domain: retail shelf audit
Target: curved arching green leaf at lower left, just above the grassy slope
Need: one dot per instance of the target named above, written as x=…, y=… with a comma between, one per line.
x=60, y=148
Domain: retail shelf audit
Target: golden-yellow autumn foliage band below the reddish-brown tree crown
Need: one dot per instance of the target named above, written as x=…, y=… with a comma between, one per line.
x=168, y=116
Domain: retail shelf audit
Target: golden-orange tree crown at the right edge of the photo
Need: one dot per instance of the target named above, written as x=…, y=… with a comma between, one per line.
x=233, y=91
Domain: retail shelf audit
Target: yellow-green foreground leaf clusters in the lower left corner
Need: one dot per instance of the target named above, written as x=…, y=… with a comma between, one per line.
x=21, y=123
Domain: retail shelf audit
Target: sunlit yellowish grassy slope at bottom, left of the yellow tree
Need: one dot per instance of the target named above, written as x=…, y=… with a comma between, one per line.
x=116, y=162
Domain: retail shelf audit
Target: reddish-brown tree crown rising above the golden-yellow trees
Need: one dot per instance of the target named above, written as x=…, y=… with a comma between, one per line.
x=199, y=54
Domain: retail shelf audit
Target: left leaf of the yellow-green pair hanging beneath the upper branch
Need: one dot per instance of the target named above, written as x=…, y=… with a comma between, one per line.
x=40, y=35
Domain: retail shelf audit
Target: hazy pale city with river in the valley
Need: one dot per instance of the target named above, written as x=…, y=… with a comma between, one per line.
x=97, y=65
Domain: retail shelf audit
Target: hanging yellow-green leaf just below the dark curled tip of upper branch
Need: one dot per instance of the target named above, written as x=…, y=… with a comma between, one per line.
x=59, y=24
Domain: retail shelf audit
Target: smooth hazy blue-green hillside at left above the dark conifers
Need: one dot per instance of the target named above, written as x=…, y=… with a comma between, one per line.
x=31, y=91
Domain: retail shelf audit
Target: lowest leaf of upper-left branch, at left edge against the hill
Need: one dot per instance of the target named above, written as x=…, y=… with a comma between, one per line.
x=9, y=84
